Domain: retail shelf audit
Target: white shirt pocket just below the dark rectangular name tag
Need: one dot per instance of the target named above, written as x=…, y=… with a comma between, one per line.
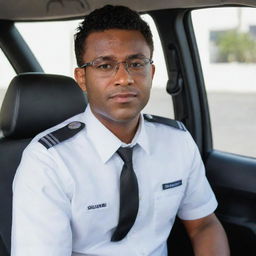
x=166, y=205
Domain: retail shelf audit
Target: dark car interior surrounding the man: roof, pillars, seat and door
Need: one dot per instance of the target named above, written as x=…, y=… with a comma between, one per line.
x=32, y=95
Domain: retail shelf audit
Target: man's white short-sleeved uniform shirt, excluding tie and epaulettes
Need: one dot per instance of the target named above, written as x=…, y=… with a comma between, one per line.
x=66, y=198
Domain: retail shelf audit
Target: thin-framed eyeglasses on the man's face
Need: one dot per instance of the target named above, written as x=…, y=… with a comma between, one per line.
x=108, y=66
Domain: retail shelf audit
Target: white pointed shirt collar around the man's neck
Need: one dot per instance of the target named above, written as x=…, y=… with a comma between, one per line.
x=105, y=142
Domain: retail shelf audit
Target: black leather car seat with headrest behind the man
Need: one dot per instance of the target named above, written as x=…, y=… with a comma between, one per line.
x=33, y=103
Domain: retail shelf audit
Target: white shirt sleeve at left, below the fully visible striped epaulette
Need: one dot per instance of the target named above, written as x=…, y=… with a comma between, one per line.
x=41, y=208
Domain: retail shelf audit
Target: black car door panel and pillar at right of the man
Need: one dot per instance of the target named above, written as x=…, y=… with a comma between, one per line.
x=232, y=177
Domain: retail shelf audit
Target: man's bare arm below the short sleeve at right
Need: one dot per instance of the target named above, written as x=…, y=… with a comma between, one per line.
x=207, y=236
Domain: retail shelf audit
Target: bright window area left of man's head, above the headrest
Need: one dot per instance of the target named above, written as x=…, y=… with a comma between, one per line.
x=52, y=44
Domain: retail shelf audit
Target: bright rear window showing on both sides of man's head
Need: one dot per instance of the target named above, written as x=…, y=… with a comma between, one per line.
x=52, y=44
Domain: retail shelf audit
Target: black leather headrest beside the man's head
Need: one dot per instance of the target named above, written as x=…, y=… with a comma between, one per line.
x=37, y=101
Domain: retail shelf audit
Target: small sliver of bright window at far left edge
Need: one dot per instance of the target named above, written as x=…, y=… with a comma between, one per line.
x=6, y=74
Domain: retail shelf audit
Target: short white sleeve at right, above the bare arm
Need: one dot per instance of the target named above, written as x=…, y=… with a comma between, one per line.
x=199, y=199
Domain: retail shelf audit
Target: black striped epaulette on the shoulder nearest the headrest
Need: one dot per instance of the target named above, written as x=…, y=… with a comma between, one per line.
x=61, y=134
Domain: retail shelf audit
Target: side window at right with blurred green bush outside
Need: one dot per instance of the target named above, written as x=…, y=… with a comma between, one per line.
x=227, y=48
